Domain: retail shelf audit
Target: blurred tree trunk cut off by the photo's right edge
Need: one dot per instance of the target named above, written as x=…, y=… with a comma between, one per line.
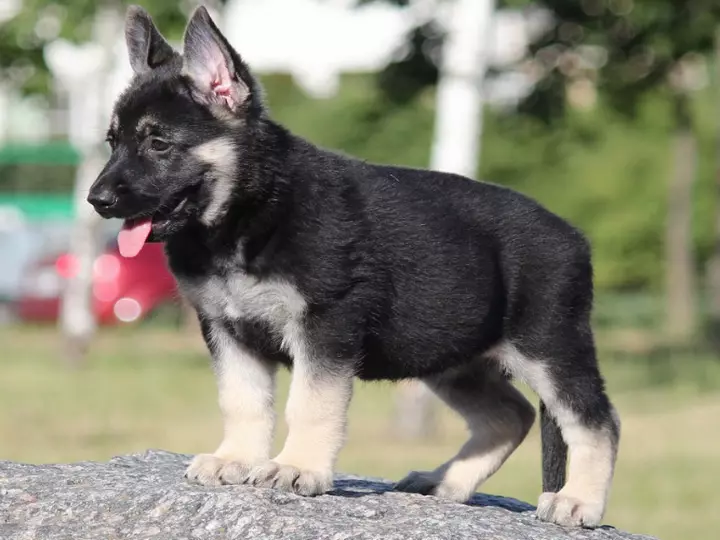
x=713, y=268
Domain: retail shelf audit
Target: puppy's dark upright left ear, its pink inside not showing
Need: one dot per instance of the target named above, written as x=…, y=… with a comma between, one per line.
x=147, y=47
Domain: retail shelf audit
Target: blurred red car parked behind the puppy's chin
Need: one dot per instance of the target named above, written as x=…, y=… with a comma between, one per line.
x=124, y=290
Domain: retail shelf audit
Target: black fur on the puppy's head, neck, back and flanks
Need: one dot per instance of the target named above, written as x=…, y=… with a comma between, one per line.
x=407, y=273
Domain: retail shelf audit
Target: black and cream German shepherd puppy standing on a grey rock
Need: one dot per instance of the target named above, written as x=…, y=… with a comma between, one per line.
x=294, y=255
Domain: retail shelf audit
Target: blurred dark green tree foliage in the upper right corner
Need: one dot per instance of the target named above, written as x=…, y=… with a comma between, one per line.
x=637, y=45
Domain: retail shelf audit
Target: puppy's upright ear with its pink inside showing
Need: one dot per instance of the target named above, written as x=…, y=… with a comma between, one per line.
x=215, y=69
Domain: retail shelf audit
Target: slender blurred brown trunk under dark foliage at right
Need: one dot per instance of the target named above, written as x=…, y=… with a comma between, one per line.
x=681, y=314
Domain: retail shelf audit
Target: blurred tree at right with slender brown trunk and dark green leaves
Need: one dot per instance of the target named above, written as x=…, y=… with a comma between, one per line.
x=639, y=46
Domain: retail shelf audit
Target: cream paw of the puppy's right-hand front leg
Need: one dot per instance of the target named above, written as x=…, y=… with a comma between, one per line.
x=290, y=478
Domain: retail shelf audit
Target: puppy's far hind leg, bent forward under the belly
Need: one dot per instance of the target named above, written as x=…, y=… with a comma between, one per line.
x=498, y=417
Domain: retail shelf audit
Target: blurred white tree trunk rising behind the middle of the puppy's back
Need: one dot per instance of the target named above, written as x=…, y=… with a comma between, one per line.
x=456, y=143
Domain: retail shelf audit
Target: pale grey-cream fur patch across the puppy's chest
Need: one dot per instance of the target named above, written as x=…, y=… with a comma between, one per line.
x=238, y=296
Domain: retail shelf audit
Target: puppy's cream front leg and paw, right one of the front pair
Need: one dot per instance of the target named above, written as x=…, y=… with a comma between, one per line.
x=316, y=415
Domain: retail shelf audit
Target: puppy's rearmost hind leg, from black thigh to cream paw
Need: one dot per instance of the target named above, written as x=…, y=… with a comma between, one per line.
x=549, y=344
